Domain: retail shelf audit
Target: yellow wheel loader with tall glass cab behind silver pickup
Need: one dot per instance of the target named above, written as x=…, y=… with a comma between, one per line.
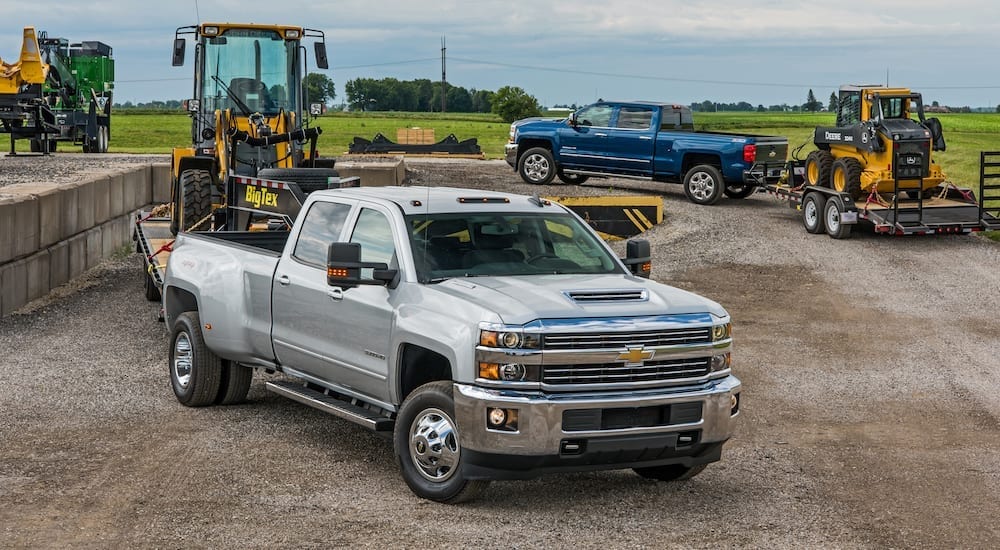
x=249, y=117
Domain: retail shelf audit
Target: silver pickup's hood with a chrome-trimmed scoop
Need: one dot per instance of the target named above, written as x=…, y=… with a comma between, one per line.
x=519, y=300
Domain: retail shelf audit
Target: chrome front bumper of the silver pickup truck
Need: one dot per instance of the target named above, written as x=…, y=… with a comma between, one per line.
x=540, y=429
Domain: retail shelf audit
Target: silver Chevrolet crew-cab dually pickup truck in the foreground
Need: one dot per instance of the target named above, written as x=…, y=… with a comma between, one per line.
x=495, y=336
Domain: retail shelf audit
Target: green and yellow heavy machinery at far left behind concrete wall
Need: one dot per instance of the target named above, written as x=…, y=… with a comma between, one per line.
x=58, y=91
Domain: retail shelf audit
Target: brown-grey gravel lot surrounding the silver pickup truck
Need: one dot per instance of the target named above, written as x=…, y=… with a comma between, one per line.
x=870, y=413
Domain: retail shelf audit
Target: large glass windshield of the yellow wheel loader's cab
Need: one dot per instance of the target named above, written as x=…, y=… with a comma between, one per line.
x=257, y=65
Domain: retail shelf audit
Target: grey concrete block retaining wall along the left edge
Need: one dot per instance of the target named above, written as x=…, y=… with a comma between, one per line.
x=51, y=234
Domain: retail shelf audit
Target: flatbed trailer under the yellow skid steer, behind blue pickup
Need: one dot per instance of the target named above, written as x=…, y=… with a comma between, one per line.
x=947, y=209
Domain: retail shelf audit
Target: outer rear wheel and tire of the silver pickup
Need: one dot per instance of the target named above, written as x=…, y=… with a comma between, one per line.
x=195, y=372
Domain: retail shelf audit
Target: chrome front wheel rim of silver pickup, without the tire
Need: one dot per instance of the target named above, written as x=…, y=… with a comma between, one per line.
x=434, y=446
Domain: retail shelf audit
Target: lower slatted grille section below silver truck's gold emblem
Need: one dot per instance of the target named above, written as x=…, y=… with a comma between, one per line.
x=619, y=373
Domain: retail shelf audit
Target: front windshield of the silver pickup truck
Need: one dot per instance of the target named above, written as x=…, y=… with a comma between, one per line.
x=462, y=245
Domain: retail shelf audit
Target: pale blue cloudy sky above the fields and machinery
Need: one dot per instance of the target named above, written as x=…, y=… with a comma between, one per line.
x=564, y=52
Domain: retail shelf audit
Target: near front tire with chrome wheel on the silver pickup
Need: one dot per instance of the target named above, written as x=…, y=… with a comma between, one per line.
x=428, y=446
